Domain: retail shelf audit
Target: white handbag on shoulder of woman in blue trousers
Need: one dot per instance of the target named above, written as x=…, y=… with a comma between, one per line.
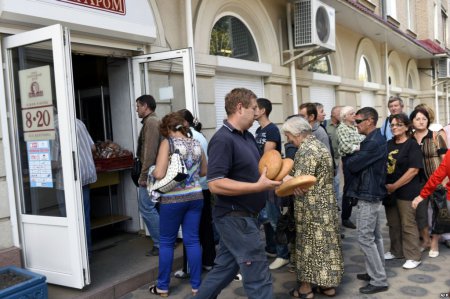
x=176, y=172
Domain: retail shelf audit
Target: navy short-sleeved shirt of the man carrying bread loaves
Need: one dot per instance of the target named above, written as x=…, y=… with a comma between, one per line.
x=234, y=155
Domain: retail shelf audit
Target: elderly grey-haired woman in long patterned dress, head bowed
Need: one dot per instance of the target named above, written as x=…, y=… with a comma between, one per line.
x=318, y=245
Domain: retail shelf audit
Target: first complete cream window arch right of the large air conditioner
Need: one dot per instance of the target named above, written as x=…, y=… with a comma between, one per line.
x=366, y=49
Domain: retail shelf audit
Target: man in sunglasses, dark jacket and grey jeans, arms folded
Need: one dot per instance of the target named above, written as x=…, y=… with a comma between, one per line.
x=368, y=166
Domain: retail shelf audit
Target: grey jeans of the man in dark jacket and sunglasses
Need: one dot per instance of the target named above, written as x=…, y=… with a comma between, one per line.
x=371, y=240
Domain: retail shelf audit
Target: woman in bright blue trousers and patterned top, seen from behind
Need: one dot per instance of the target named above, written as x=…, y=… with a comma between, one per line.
x=181, y=206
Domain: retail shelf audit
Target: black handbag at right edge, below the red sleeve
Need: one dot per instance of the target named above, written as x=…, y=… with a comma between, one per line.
x=441, y=214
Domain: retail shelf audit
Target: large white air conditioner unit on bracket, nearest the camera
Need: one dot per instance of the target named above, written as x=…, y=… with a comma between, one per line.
x=314, y=24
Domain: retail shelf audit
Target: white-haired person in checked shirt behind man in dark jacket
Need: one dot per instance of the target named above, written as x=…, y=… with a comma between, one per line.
x=348, y=142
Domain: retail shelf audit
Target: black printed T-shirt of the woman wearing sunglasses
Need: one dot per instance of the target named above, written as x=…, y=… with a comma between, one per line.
x=401, y=157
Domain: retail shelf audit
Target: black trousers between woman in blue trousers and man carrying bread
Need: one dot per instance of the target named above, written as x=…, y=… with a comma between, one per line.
x=206, y=234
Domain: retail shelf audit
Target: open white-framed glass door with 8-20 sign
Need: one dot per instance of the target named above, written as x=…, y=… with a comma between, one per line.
x=44, y=159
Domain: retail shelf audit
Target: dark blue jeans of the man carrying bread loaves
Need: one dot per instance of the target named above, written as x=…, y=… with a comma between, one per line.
x=241, y=248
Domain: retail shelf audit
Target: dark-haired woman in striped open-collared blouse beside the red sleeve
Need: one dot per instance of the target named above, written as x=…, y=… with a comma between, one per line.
x=433, y=148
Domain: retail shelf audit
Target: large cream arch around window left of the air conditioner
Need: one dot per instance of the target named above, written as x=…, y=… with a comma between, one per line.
x=252, y=13
